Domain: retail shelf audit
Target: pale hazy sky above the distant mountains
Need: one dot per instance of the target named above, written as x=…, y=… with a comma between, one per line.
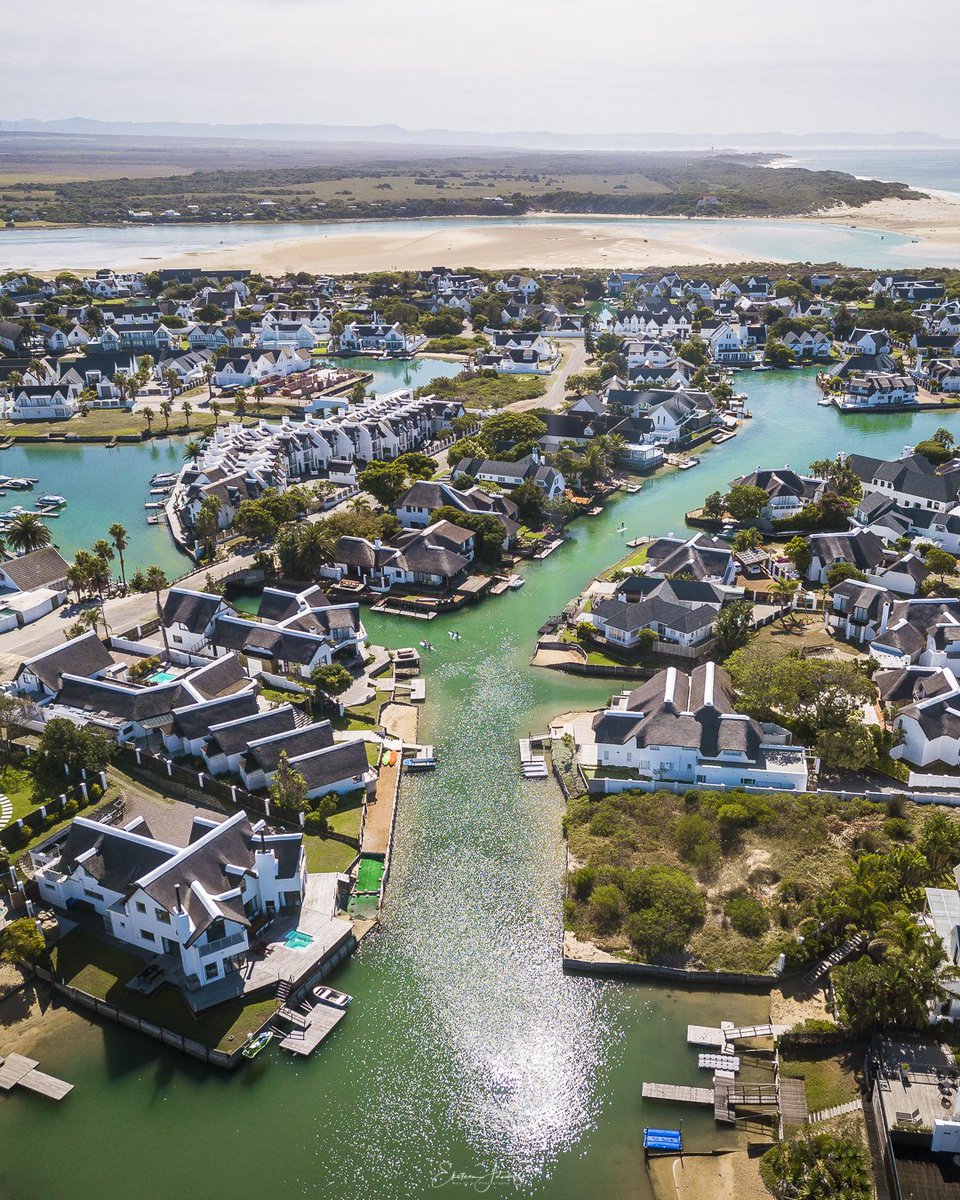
x=607, y=67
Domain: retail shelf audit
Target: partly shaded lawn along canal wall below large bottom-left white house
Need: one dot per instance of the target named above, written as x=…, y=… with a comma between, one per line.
x=103, y=969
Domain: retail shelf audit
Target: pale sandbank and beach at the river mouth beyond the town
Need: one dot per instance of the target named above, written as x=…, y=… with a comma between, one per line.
x=577, y=242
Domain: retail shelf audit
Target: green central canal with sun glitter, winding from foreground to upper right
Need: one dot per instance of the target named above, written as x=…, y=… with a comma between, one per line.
x=466, y=1048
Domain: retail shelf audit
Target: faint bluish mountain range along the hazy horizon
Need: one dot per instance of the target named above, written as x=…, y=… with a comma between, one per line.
x=544, y=140
